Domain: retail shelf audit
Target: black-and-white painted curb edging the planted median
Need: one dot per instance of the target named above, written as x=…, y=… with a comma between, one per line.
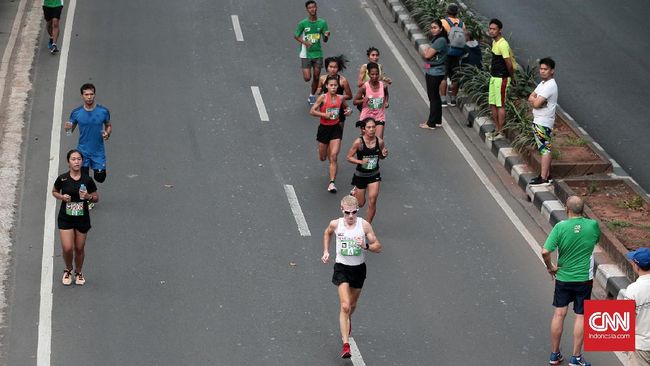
x=608, y=275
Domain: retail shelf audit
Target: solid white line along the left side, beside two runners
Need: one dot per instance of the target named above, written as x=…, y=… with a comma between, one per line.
x=45, y=313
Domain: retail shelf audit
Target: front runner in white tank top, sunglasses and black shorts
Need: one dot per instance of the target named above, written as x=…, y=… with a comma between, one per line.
x=353, y=236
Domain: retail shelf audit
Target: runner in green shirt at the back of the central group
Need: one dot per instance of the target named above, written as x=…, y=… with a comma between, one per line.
x=309, y=33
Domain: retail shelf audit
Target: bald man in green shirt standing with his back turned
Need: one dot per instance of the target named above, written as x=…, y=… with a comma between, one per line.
x=575, y=239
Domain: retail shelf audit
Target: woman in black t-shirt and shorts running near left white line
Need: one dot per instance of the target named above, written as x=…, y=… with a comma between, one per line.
x=75, y=190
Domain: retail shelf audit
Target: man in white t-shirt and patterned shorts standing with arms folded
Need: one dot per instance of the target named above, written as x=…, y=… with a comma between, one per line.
x=544, y=100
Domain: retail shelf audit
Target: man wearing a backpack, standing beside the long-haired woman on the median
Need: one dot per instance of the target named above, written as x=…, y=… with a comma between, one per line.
x=456, y=34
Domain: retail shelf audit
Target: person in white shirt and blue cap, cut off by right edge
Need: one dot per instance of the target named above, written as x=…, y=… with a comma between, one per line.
x=639, y=291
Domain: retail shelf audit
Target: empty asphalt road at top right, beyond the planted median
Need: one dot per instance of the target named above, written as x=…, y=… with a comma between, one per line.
x=601, y=69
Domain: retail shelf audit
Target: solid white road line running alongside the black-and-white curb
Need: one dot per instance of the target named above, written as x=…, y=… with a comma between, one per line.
x=459, y=145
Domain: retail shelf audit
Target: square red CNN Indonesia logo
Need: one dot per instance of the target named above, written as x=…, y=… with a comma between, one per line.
x=609, y=325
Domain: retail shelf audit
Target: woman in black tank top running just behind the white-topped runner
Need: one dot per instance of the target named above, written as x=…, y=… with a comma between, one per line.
x=366, y=152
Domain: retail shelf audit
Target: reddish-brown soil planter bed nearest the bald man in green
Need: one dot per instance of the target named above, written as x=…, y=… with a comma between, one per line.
x=621, y=208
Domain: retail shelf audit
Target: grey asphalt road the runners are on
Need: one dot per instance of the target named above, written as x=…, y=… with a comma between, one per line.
x=190, y=257
